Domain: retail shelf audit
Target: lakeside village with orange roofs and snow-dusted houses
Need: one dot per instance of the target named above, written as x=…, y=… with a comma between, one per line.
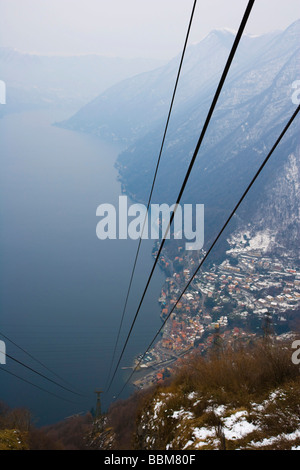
x=235, y=300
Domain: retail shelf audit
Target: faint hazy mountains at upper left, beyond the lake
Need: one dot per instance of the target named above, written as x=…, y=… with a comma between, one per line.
x=35, y=80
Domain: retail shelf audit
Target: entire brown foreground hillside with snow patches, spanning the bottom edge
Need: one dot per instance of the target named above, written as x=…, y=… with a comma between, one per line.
x=242, y=397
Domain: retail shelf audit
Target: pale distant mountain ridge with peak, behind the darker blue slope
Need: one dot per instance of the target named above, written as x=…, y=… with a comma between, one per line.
x=128, y=110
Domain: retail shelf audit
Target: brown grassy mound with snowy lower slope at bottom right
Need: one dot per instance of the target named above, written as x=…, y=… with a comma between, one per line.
x=234, y=400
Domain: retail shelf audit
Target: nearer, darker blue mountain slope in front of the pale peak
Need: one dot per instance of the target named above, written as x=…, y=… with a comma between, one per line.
x=254, y=105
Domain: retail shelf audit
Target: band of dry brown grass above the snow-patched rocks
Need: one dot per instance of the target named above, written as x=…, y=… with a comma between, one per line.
x=238, y=376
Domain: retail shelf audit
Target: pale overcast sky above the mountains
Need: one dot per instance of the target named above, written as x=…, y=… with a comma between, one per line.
x=129, y=28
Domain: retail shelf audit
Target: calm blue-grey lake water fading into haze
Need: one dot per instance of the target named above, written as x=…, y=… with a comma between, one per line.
x=62, y=289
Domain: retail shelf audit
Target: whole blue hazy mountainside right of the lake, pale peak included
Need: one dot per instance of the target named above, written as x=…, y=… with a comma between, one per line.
x=255, y=104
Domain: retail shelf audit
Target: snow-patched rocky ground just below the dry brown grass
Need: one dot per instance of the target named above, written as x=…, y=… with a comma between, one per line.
x=220, y=427
